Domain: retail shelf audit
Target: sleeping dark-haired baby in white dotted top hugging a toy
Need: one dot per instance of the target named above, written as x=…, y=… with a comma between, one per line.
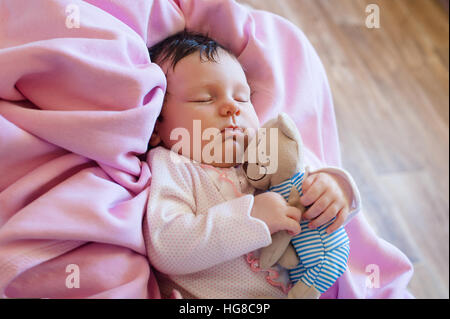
x=203, y=217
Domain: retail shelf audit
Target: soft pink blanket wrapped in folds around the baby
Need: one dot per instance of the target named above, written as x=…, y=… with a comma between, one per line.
x=78, y=102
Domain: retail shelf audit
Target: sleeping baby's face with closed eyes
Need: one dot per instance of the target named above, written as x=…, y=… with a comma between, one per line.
x=203, y=99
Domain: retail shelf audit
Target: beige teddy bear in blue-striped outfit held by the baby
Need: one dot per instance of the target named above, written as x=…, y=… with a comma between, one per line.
x=315, y=259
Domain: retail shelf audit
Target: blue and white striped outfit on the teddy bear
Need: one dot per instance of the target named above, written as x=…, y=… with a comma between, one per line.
x=323, y=256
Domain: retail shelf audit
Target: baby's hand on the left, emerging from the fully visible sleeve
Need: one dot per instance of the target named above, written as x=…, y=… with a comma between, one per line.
x=273, y=209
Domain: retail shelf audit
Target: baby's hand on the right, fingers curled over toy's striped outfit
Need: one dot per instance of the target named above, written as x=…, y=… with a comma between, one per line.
x=329, y=198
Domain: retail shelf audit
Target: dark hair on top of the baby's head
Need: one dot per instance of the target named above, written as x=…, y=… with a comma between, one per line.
x=182, y=44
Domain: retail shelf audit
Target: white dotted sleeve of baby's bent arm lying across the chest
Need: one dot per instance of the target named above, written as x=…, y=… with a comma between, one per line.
x=181, y=238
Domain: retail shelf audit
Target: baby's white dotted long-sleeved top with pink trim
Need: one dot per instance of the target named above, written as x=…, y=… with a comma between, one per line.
x=198, y=230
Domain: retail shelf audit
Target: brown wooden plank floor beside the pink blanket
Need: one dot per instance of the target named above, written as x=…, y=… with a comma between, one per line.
x=391, y=91
